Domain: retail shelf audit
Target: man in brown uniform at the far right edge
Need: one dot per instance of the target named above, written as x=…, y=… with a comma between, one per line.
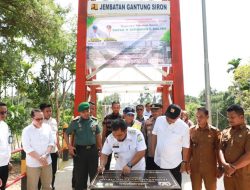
x=235, y=150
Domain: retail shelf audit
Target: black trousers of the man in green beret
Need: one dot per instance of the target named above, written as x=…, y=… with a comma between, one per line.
x=86, y=163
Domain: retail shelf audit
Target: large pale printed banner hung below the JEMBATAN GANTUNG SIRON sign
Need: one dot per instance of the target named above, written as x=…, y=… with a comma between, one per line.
x=128, y=40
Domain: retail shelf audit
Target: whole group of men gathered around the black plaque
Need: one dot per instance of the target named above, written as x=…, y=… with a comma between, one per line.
x=139, y=140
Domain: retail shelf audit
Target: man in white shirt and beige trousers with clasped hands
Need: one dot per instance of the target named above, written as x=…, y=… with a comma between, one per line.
x=38, y=141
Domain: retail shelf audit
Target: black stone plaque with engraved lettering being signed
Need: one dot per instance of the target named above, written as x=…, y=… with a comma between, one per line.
x=149, y=179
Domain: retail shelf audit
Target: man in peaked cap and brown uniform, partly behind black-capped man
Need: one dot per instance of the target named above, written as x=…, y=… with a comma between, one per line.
x=156, y=110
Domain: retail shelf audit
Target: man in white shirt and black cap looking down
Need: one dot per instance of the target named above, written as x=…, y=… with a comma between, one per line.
x=170, y=142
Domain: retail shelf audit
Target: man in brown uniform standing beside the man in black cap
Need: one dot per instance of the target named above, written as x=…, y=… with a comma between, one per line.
x=204, y=151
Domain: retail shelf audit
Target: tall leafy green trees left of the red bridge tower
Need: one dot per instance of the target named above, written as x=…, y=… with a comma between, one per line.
x=33, y=32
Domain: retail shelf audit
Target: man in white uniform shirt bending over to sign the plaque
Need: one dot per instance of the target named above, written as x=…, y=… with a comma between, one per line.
x=128, y=146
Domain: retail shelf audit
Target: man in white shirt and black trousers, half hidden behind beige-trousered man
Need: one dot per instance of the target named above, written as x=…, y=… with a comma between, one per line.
x=47, y=114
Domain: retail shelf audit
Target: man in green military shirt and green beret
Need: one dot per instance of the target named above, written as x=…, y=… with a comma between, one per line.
x=87, y=143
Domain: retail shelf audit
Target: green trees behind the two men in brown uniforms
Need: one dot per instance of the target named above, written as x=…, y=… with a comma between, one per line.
x=238, y=93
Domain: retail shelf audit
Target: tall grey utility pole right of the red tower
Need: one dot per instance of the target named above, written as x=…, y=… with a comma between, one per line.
x=206, y=63
